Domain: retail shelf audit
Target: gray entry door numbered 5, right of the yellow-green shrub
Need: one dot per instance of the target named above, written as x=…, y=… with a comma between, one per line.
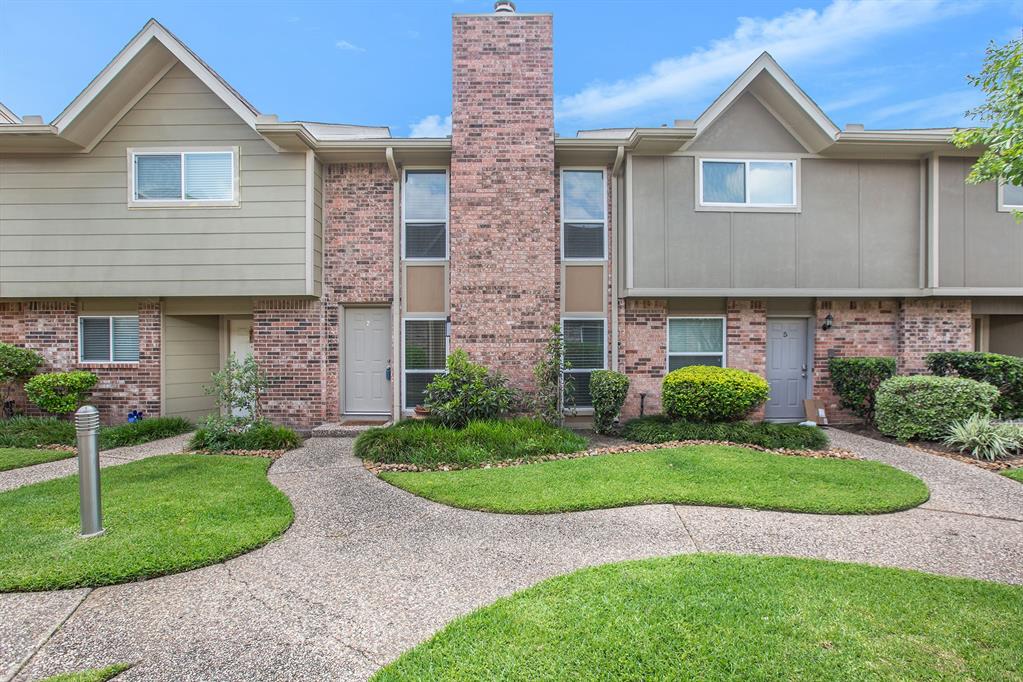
x=786, y=369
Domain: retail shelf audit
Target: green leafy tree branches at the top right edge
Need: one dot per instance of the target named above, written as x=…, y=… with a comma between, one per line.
x=1002, y=117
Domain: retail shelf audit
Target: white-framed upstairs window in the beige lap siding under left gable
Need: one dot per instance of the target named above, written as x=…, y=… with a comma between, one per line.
x=193, y=177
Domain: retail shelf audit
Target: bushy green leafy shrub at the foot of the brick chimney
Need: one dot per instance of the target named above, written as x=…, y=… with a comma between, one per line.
x=467, y=392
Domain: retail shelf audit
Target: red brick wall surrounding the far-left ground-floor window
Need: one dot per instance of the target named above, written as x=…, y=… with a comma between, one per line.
x=52, y=329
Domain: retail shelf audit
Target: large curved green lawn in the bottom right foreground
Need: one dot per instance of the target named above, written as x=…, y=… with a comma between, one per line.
x=733, y=618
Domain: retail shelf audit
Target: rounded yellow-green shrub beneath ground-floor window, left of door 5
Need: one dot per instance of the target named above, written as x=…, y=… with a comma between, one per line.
x=713, y=394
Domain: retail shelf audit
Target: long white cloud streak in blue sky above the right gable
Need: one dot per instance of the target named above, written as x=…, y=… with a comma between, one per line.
x=837, y=32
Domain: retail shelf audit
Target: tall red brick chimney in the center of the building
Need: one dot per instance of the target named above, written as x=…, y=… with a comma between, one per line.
x=504, y=242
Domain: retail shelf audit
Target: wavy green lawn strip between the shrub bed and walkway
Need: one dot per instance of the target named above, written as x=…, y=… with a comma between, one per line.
x=720, y=476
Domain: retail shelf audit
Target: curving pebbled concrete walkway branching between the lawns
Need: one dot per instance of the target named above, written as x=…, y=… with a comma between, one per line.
x=369, y=571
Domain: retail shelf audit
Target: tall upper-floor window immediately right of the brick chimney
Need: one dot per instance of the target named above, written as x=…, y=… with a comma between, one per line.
x=585, y=214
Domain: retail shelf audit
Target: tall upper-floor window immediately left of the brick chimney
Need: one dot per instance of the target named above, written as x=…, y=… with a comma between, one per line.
x=425, y=214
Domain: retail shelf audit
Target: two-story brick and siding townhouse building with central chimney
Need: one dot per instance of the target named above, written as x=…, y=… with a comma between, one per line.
x=161, y=223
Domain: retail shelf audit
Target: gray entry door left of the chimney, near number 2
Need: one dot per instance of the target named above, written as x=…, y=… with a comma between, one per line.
x=368, y=356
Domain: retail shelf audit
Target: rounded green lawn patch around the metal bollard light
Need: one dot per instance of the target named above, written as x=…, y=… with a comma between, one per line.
x=163, y=515
